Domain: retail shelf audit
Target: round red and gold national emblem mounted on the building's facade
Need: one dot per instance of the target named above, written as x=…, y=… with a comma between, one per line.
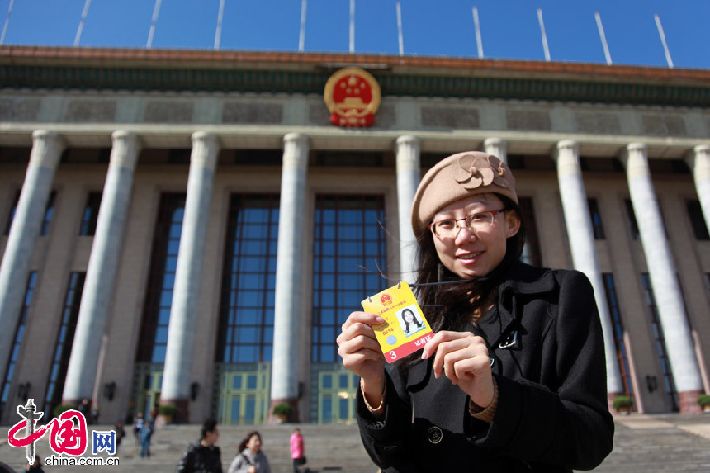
x=352, y=96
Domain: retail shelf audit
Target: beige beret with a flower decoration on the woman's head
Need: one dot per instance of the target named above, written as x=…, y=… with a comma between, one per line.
x=456, y=177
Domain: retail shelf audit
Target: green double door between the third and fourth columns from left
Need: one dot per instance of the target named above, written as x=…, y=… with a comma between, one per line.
x=244, y=394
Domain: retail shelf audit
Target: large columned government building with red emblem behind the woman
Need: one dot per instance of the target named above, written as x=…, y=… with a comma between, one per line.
x=191, y=228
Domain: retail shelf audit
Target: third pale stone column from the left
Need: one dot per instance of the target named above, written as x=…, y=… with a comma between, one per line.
x=186, y=294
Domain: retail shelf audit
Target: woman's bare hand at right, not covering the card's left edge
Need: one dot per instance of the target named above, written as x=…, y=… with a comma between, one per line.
x=463, y=358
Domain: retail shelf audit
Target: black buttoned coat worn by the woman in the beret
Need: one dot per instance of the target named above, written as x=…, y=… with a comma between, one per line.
x=552, y=413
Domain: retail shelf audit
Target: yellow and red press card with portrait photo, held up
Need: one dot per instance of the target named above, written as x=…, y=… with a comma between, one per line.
x=405, y=329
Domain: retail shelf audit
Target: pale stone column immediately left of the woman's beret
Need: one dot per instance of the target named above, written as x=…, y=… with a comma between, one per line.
x=407, y=182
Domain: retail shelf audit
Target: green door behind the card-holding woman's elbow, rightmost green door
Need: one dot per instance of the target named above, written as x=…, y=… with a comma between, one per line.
x=336, y=396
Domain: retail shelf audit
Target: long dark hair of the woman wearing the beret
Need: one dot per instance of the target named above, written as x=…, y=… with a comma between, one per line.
x=450, y=306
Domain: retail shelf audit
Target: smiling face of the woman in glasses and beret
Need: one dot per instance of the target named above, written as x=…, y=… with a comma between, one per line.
x=472, y=255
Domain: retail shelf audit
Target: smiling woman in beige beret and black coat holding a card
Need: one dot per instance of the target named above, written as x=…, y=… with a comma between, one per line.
x=514, y=379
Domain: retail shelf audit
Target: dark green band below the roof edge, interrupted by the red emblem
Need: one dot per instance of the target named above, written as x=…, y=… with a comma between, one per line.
x=392, y=84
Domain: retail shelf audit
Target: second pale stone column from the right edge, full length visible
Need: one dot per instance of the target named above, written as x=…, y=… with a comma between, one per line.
x=662, y=271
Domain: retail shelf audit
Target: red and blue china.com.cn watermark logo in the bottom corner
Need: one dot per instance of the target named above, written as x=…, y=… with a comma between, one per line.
x=67, y=434
